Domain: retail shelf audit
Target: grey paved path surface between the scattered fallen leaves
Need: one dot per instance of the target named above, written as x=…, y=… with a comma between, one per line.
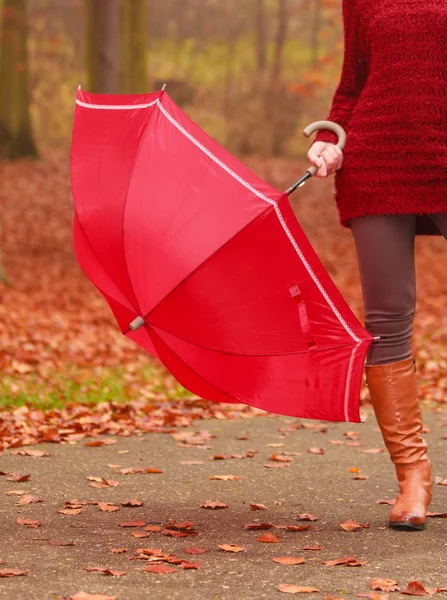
x=312, y=483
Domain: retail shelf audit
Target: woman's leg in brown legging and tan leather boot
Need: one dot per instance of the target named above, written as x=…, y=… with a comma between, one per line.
x=385, y=251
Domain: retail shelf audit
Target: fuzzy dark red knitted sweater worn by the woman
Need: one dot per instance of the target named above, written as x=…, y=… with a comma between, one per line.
x=392, y=102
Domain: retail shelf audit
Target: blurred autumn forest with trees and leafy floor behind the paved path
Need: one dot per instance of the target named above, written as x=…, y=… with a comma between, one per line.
x=253, y=74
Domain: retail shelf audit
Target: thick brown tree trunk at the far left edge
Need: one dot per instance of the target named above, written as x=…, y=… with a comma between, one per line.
x=16, y=138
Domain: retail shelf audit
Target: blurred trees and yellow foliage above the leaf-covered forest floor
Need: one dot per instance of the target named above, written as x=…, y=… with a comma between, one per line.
x=251, y=72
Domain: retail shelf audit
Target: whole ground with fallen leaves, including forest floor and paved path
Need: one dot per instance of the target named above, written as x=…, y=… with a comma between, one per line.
x=166, y=503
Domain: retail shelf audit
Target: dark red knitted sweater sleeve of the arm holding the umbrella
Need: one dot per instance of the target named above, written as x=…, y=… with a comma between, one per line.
x=353, y=75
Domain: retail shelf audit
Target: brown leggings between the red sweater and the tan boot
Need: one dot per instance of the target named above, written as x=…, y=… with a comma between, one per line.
x=385, y=253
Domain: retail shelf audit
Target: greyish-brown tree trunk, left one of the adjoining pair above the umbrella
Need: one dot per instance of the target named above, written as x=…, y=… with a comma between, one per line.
x=103, y=46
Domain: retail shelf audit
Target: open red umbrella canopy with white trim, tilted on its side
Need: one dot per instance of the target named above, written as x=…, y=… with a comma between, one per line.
x=204, y=264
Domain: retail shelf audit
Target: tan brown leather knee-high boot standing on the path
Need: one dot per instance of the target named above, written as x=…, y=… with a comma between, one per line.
x=394, y=397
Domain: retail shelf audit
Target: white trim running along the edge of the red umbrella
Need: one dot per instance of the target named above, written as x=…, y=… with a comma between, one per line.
x=286, y=229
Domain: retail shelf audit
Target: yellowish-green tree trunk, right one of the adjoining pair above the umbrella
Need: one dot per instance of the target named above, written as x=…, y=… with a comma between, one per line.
x=133, y=35
